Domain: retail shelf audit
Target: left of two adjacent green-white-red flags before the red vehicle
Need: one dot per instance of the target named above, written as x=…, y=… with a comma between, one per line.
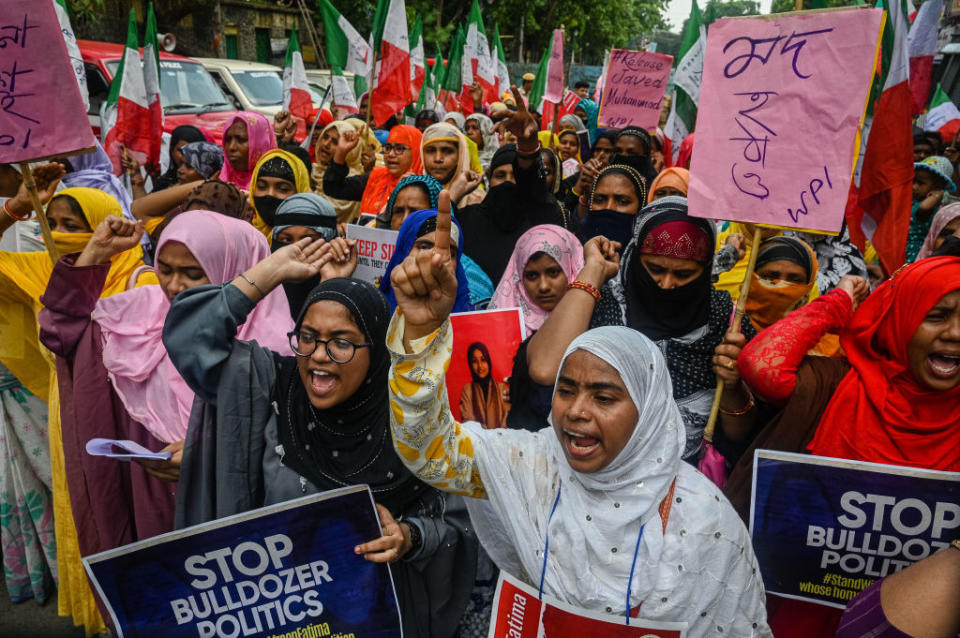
x=126, y=118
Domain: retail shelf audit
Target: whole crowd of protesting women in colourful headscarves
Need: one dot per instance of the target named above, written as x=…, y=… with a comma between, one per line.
x=209, y=311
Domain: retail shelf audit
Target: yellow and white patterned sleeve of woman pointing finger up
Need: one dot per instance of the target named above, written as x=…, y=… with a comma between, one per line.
x=428, y=439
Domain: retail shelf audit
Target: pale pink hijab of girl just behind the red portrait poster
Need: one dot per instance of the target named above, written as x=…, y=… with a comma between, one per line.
x=555, y=241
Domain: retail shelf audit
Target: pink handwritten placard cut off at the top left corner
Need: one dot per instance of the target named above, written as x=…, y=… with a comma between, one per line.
x=41, y=111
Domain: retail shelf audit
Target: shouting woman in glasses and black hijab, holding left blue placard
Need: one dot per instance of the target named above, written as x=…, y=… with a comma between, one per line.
x=273, y=427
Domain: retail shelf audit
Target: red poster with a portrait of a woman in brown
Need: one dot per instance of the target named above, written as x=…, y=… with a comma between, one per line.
x=484, y=344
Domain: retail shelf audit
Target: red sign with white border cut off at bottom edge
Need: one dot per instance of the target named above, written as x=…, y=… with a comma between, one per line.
x=519, y=613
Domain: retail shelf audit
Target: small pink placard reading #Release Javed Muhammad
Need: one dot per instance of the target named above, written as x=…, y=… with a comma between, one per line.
x=633, y=89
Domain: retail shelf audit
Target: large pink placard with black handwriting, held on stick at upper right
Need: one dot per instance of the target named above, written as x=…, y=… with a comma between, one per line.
x=781, y=104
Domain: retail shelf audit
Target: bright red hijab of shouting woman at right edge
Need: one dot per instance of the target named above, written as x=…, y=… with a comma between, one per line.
x=879, y=413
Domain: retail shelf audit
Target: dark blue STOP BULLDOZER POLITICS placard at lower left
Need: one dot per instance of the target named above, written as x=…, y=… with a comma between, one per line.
x=287, y=570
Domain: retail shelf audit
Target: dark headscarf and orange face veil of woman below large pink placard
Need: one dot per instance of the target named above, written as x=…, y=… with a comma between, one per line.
x=770, y=301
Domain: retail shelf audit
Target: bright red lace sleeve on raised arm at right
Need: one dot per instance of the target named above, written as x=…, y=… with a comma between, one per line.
x=768, y=364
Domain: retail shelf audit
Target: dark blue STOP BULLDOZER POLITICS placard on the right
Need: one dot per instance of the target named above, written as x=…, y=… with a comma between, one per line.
x=824, y=529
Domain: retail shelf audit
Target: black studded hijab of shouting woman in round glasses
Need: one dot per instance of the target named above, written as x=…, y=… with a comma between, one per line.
x=350, y=443
